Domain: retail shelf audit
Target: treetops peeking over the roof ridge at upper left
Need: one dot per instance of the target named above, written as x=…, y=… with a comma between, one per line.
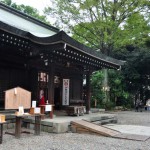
x=27, y=10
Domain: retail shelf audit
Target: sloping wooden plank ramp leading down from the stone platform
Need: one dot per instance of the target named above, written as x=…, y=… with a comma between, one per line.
x=95, y=128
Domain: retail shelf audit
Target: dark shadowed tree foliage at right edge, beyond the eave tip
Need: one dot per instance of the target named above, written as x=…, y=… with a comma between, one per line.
x=137, y=72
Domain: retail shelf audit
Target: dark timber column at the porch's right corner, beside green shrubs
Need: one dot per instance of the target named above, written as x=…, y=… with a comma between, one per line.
x=88, y=93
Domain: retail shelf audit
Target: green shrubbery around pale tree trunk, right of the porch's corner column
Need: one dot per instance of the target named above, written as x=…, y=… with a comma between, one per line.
x=118, y=91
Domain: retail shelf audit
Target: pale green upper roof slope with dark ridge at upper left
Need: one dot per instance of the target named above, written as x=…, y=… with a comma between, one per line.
x=25, y=22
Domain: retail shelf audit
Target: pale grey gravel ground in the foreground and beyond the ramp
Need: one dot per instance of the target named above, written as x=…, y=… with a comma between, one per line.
x=74, y=141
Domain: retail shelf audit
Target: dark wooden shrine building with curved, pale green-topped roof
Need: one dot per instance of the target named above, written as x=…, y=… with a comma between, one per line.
x=36, y=56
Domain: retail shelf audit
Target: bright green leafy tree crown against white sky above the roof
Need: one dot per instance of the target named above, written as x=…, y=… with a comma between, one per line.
x=104, y=24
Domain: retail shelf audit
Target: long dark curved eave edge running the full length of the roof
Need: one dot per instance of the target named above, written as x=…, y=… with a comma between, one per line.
x=60, y=37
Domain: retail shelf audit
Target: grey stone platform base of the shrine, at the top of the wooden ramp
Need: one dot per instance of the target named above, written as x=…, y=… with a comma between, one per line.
x=63, y=125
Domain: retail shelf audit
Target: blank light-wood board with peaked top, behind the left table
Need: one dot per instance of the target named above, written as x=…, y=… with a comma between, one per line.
x=17, y=97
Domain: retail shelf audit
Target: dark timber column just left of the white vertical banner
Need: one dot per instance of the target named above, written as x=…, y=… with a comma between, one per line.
x=51, y=88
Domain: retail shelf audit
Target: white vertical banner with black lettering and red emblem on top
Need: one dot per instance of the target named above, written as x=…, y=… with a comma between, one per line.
x=65, y=100
